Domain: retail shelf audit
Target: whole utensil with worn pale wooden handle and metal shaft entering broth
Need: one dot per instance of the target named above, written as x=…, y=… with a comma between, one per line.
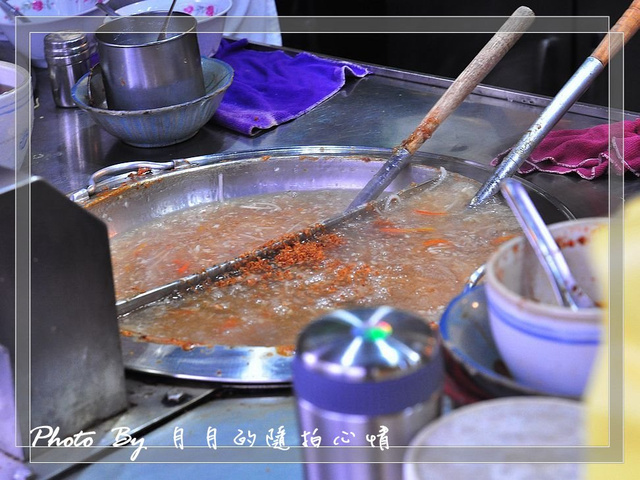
x=460, y=89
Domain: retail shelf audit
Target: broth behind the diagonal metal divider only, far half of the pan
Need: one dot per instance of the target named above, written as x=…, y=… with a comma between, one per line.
x=191, y=240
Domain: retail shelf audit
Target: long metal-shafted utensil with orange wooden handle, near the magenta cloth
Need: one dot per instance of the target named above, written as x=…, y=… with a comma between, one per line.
x=628, y=25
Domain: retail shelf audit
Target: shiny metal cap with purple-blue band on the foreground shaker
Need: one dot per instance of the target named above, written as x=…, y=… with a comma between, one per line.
x=369, y=361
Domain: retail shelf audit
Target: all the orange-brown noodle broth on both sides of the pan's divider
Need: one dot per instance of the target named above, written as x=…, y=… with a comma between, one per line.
x=415, y=255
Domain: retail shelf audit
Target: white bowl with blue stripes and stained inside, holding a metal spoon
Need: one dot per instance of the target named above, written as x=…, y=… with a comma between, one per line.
x=547, y=347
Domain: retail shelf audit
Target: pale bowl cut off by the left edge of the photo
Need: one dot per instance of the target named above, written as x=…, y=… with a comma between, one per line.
x=15, y=115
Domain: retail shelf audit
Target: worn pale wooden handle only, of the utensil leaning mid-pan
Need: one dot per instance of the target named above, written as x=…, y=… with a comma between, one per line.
x=471, y=76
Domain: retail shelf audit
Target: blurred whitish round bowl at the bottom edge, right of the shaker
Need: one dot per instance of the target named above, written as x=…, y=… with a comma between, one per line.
x=502, y=439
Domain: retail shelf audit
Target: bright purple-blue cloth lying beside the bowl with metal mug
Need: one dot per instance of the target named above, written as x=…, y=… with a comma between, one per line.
x=270, y=88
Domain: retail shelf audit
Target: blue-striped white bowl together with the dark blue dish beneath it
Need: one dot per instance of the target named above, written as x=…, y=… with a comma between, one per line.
x=511, y=337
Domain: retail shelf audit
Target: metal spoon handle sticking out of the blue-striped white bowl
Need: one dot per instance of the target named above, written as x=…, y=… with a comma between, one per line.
x=565, y=287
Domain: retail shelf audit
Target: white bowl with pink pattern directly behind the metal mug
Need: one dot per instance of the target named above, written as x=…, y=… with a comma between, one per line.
x=209, y=14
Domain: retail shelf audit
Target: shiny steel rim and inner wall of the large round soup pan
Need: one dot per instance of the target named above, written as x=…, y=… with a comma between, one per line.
x=128, y=199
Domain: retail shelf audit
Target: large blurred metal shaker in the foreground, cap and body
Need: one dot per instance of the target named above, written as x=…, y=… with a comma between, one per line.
x=366, y=381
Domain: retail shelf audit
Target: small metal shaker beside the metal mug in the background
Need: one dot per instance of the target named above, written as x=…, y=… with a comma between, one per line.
x=68, y=56
